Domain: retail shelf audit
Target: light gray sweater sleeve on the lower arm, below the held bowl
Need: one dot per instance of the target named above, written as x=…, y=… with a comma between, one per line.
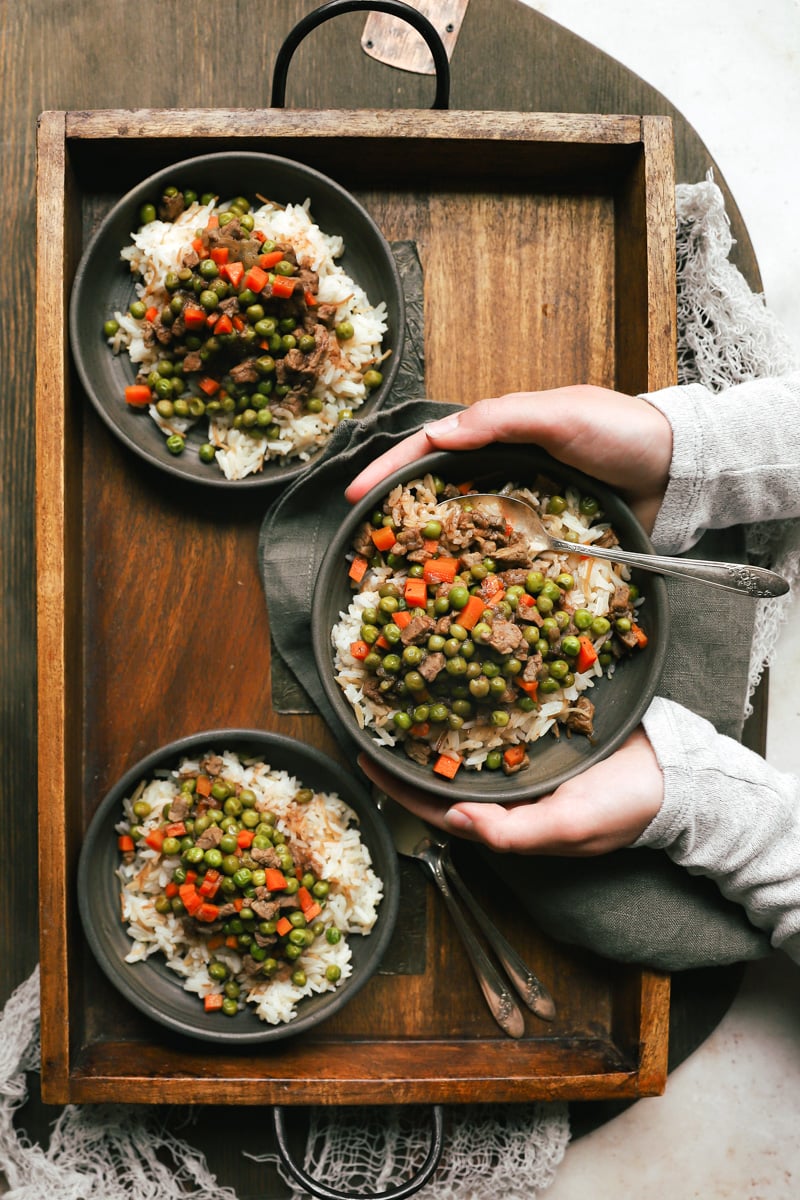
x=730, y=815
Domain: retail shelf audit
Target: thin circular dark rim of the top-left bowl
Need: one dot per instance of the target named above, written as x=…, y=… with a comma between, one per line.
x=279, y=476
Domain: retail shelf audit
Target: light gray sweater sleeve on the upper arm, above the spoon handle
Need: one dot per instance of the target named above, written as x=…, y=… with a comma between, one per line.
x=736, y=458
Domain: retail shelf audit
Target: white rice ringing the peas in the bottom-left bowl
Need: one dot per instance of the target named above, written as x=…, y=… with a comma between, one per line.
x=324, y=831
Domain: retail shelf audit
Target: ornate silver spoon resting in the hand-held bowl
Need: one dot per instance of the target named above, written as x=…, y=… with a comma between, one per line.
x=753, y=581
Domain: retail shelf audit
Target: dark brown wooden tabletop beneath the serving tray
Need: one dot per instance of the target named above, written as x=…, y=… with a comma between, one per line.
x=111, y=56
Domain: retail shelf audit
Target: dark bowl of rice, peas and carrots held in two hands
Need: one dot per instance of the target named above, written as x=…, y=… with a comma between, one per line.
x=467, y=667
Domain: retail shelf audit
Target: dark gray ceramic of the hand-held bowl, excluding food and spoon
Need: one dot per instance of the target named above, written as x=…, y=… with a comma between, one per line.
x=619, y=703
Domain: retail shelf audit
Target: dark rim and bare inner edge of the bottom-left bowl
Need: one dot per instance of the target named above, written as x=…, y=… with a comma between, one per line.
x=135, y=988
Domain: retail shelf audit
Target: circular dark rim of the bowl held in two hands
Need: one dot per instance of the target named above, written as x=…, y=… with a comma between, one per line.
x=514, y=788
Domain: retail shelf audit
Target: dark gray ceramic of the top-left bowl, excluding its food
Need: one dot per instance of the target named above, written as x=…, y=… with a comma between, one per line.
x=104, y=284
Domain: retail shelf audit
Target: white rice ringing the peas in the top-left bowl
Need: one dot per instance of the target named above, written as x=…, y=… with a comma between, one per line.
x=158, y=249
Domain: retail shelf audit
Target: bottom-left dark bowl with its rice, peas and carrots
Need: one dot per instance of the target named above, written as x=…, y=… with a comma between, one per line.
x=173, y=923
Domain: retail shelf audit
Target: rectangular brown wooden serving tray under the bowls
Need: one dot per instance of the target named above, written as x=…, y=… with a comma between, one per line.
x=548, y=244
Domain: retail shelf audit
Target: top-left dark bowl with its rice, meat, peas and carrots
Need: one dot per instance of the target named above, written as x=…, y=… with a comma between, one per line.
x=230, y=311
